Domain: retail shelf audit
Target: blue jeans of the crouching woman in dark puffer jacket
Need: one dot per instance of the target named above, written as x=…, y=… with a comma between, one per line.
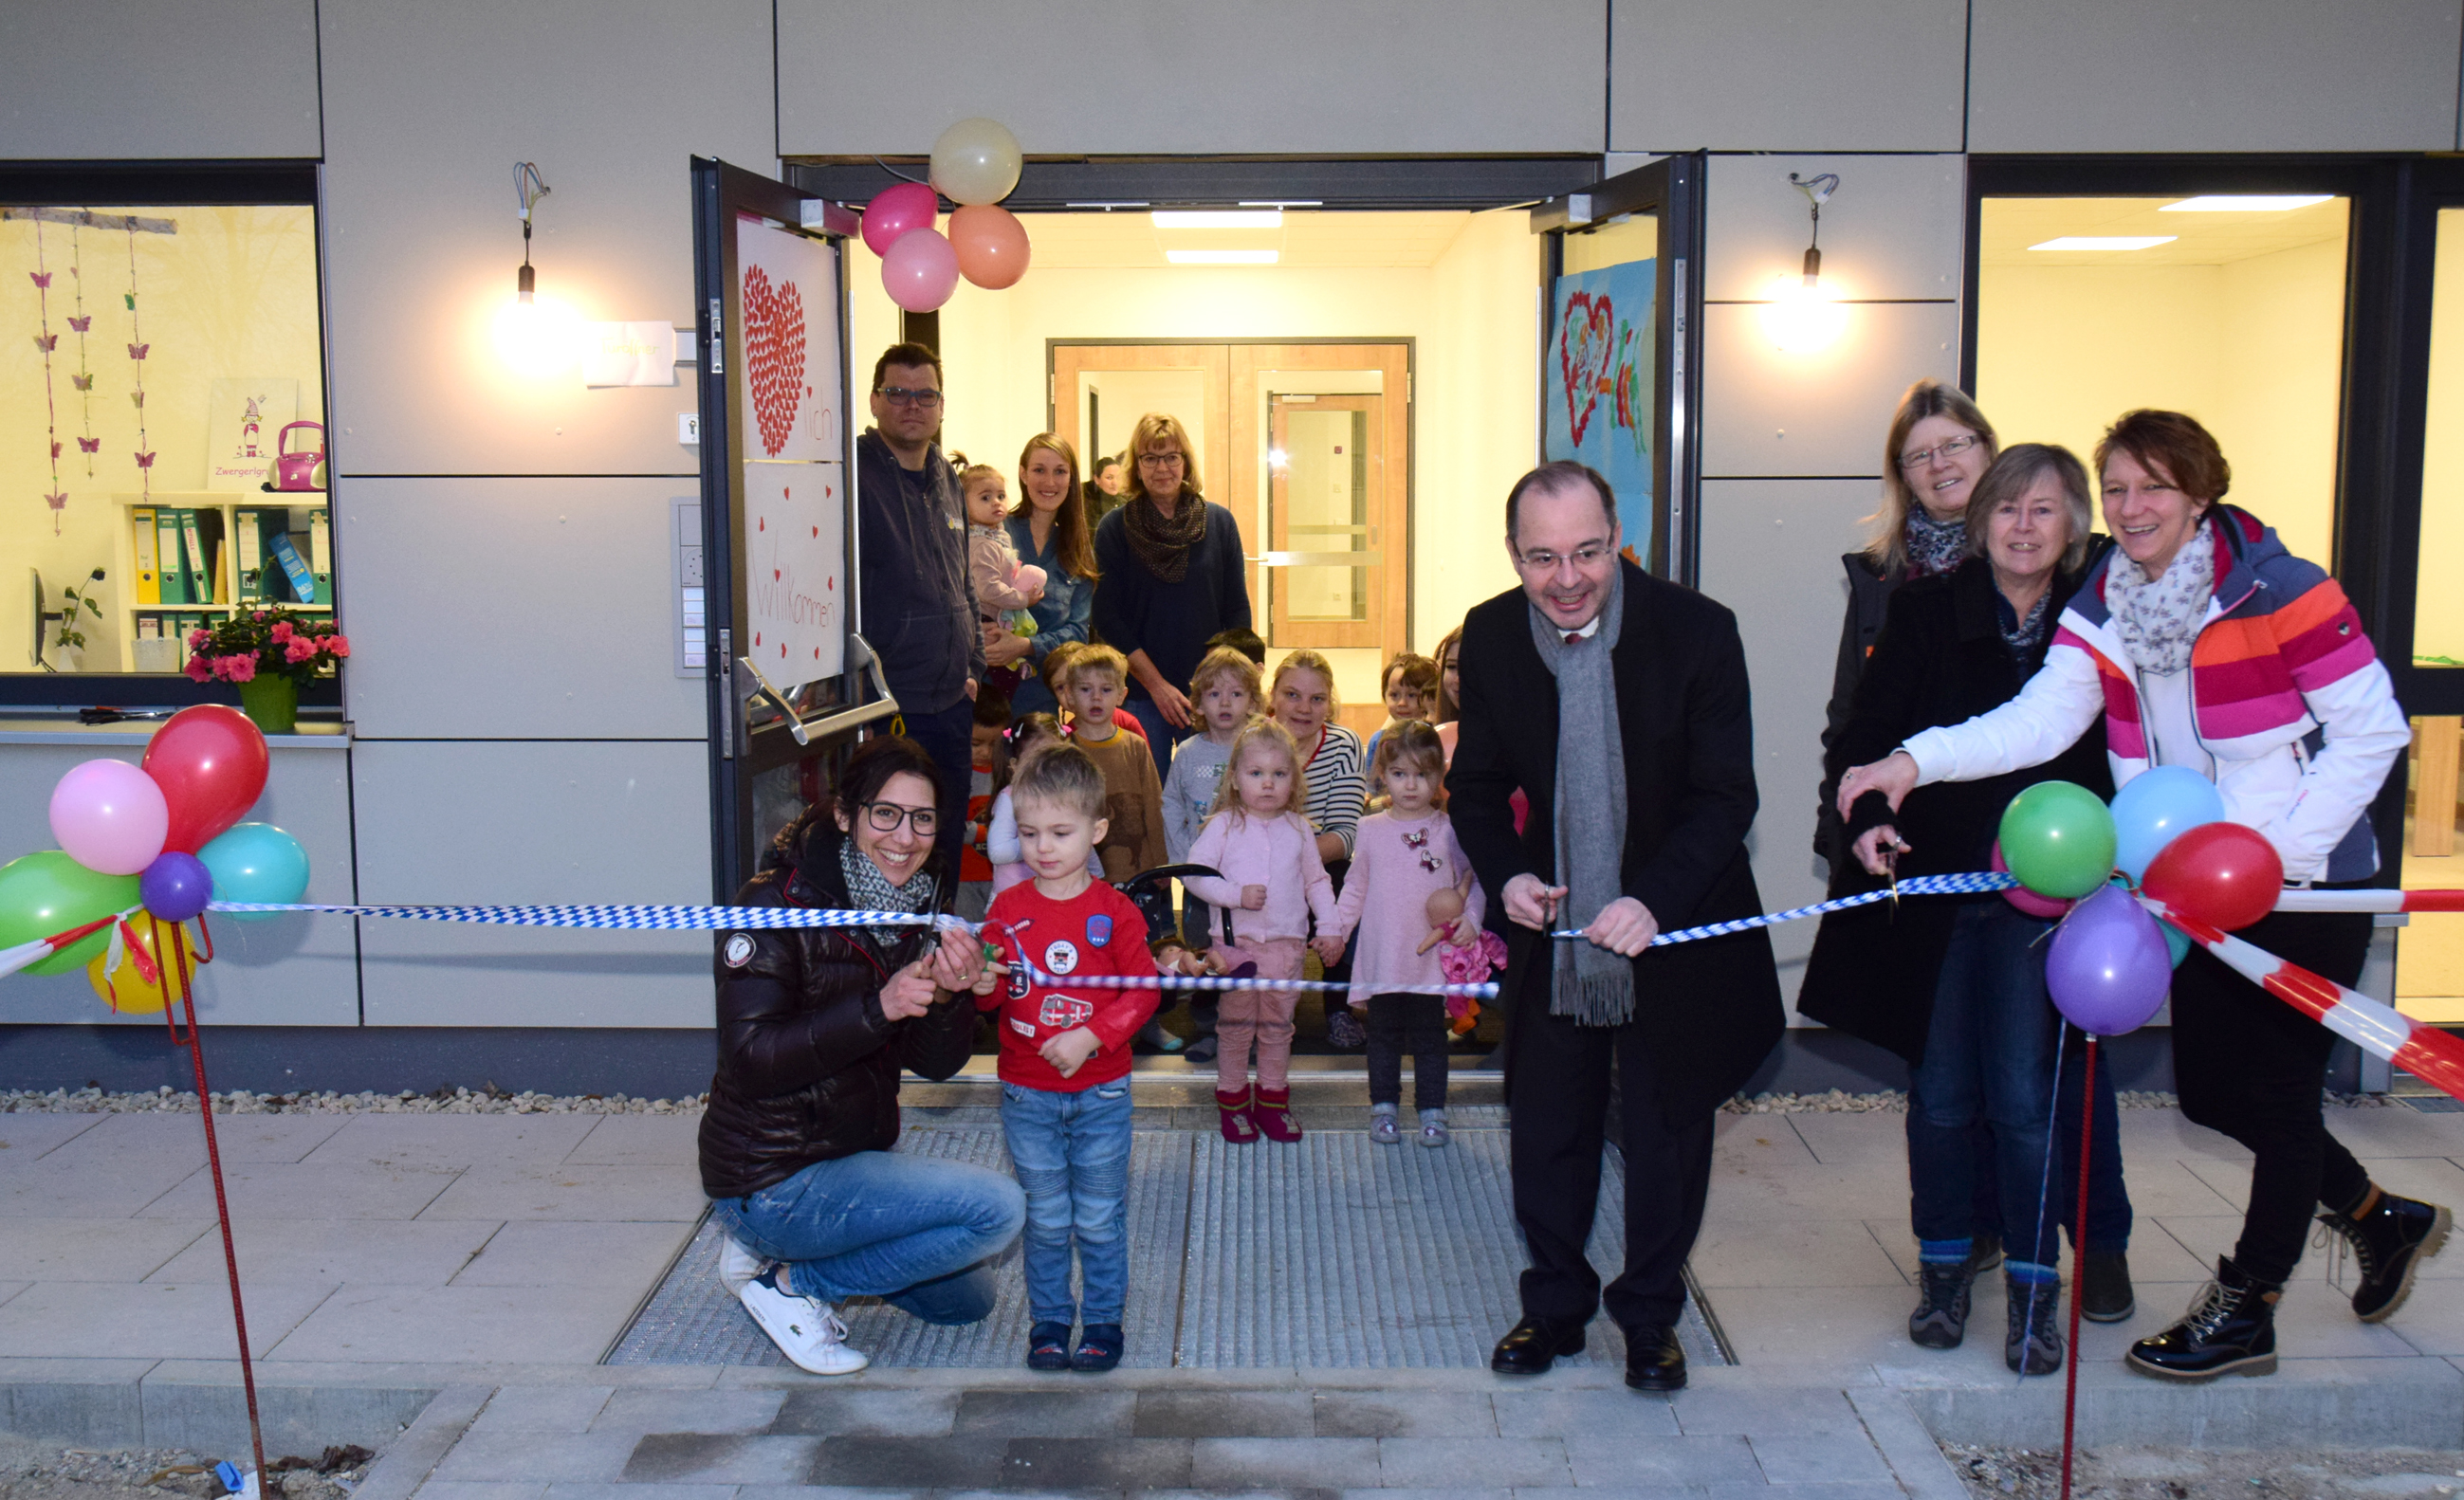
x=881, y=1223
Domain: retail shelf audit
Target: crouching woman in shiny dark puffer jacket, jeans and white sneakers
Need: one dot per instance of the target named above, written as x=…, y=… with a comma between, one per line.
x=814, y=1031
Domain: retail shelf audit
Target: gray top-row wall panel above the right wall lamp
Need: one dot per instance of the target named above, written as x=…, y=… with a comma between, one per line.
x=1780, y=75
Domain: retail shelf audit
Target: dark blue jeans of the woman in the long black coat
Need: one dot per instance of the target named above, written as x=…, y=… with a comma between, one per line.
x=1987, y=1058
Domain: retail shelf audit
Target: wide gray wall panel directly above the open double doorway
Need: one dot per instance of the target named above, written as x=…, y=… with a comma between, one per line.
x=1196, y=78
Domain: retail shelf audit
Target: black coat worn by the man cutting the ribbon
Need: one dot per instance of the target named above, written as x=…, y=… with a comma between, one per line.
x=1711, y=1009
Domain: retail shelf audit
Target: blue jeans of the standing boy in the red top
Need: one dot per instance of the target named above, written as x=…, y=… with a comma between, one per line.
x=1073, y=1161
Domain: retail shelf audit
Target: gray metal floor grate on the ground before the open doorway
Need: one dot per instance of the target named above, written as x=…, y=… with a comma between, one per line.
x=1329, y=1255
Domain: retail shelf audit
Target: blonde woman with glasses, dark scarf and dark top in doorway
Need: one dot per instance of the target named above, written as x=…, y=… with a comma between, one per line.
x=1172, y=578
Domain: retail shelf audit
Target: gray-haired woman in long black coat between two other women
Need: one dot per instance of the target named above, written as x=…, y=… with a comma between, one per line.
x=1958, y=986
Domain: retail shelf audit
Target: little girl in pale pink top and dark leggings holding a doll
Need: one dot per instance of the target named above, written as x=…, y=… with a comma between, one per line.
x=1401, y=861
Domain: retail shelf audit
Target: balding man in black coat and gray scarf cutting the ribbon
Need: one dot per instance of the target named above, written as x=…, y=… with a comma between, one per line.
x=1632, y=696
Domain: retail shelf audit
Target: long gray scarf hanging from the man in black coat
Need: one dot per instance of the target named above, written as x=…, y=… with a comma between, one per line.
x=1588, y=984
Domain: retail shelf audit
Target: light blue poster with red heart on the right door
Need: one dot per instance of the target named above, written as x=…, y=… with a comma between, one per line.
x=1600, y=385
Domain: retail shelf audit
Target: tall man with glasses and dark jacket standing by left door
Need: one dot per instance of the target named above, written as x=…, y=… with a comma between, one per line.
x=915, y=602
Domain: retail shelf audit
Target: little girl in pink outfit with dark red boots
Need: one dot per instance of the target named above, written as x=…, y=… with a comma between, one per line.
x=1273, y=883
